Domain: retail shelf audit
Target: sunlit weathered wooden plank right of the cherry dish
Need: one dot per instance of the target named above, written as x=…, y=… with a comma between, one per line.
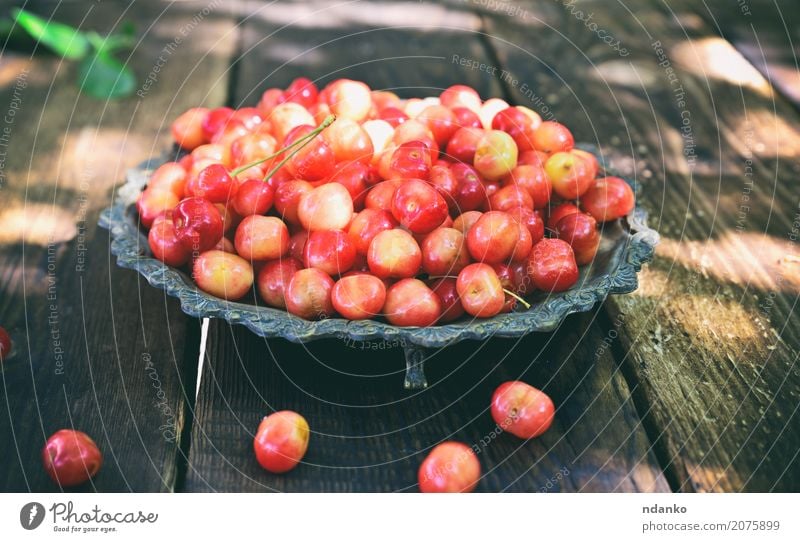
x=711, y=337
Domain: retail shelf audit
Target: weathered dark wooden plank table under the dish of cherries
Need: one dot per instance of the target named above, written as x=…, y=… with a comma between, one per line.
x=691, y=383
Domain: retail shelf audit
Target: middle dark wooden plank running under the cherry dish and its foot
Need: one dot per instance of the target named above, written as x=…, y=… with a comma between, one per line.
x=368, y=433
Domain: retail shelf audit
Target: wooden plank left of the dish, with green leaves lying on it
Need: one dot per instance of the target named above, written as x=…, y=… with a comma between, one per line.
x=97, y=348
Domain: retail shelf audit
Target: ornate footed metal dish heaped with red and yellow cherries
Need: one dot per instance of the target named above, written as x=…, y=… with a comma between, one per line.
x=351, y=213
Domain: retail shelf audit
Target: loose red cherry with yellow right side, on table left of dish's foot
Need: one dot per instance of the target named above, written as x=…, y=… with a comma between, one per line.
x=281, y=441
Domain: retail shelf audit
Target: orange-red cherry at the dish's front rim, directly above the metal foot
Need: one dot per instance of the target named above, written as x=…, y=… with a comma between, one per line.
x=409, y=302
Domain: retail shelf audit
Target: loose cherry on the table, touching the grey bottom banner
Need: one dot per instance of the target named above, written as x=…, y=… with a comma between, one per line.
x=451, y=467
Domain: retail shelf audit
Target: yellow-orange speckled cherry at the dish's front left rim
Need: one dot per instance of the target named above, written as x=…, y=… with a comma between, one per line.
x=222, y=274
